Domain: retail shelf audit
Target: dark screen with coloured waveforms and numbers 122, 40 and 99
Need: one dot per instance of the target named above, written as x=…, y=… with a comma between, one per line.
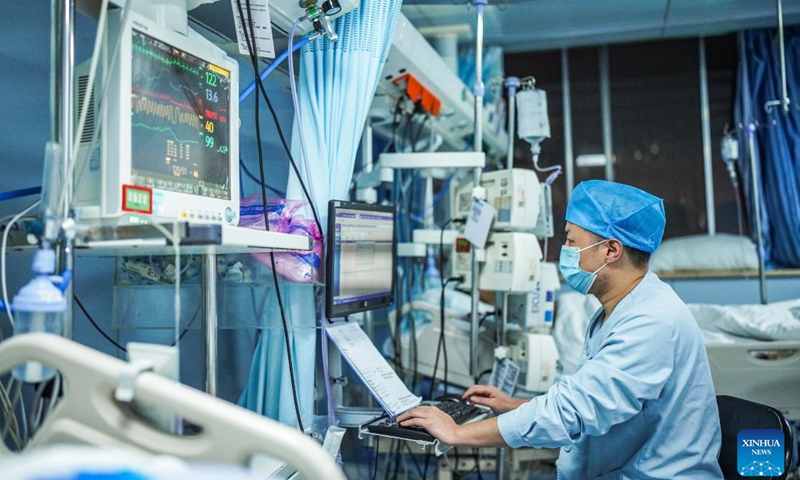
x=180, y=130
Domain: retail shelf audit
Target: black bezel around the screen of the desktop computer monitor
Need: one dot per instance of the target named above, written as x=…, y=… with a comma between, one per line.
x=338, y=311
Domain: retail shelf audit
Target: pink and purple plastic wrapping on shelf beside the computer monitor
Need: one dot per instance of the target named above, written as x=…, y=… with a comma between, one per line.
x=283, y=218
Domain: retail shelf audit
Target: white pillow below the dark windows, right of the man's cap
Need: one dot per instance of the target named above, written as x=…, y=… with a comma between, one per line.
x=705, y=252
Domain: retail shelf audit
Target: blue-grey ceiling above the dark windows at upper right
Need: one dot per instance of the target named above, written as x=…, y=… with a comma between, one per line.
x=526, y=25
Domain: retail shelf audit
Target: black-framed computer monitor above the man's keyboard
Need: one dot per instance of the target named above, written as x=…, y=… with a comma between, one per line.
x=360, y=257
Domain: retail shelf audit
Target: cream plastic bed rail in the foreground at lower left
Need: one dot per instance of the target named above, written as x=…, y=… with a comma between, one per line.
x=91, y=413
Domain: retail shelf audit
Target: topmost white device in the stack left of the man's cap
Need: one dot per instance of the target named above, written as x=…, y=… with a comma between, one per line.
x=515, y=195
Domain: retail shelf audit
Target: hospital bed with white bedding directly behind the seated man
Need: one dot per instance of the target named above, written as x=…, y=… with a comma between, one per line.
x=753, y=350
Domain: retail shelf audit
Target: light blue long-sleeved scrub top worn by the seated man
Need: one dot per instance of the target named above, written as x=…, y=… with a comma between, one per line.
x=641, y=405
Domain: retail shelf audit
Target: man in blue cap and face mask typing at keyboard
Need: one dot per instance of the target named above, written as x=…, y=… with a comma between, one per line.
x=642, y=404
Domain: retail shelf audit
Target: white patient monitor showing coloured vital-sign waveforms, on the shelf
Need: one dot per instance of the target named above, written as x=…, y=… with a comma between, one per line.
x=169, y=141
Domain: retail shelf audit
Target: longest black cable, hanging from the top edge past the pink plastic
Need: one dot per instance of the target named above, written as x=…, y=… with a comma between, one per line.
x=250, y=40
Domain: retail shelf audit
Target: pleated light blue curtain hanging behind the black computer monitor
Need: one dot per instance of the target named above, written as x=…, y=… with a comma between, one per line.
x=336, y=86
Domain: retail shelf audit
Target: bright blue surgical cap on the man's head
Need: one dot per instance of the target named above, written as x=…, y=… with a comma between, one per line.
x=615, y=210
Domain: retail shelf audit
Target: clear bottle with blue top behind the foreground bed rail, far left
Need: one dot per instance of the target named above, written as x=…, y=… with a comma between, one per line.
x=38, y=308
